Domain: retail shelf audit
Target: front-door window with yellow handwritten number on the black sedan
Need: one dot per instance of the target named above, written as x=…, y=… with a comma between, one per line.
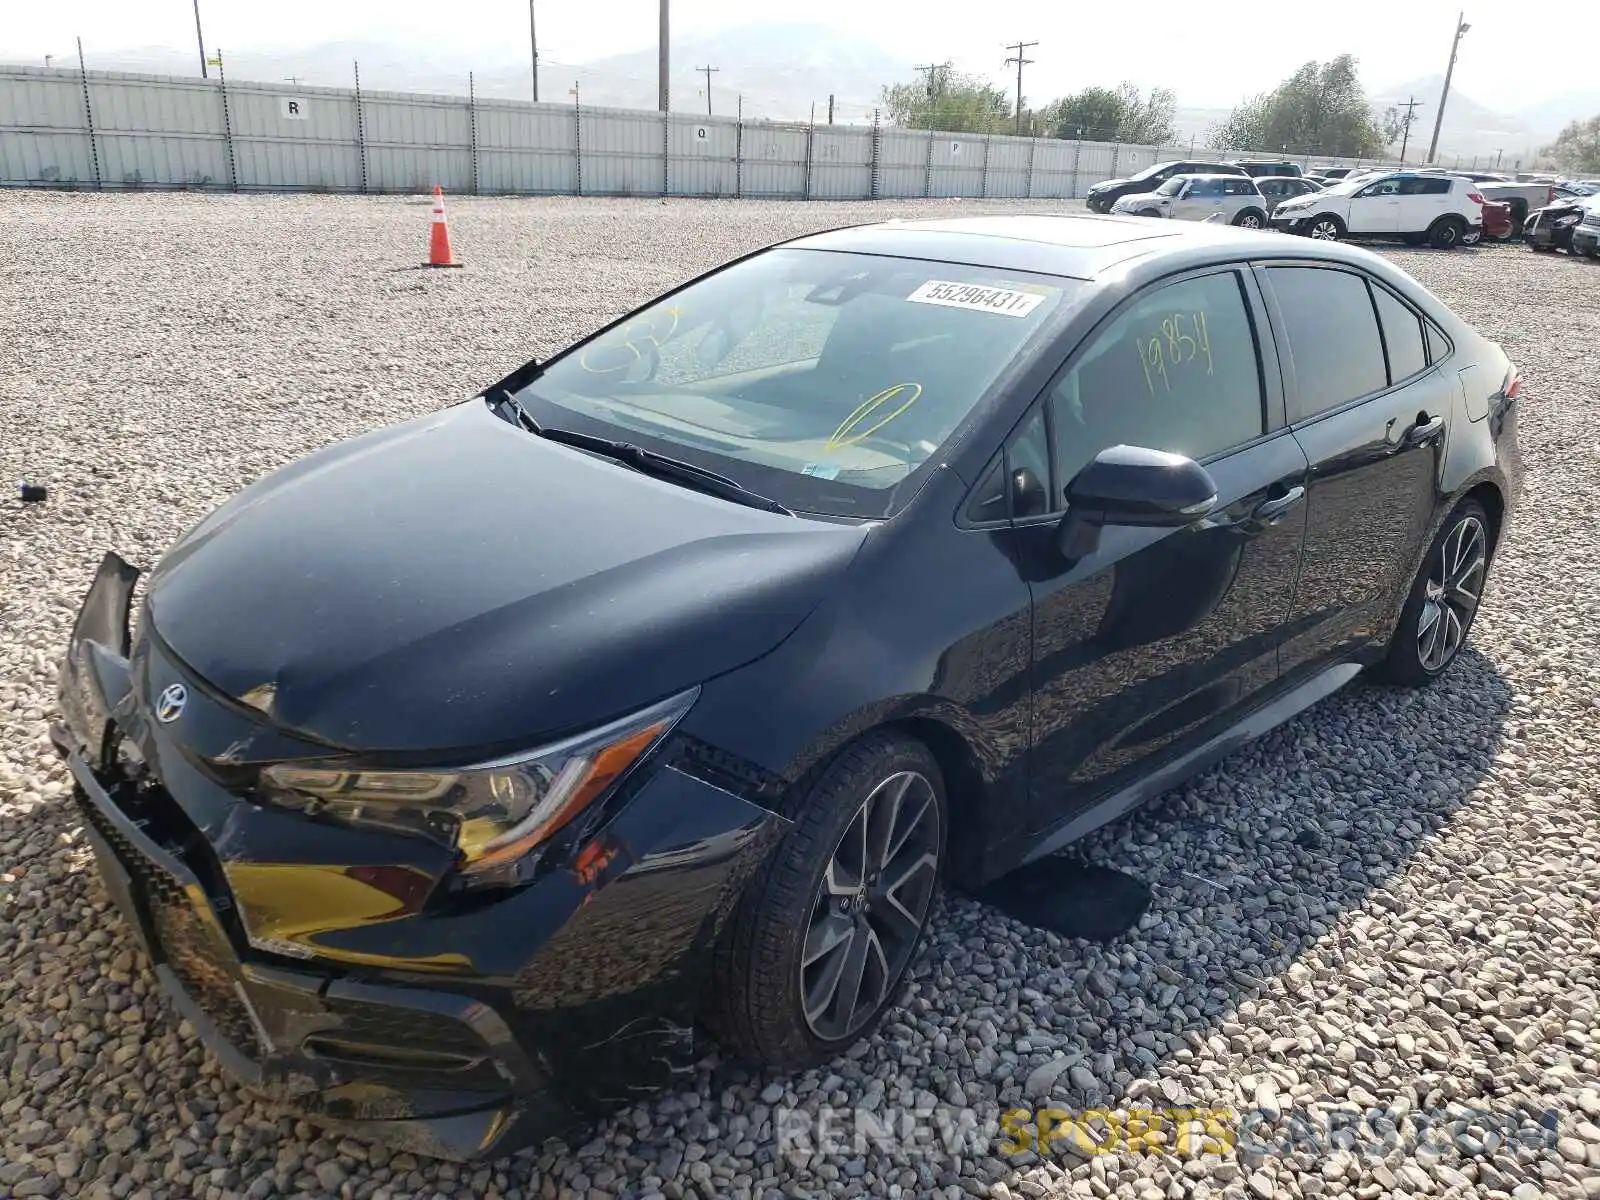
x=1175, y=370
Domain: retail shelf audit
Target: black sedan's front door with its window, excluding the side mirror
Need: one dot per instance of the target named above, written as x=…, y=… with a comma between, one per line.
x=1161, y=638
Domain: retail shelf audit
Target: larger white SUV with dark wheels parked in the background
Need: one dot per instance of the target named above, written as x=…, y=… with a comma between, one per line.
x=1438, y=209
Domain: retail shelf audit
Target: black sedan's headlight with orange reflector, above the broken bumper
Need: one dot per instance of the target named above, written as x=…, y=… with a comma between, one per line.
x=494, y=815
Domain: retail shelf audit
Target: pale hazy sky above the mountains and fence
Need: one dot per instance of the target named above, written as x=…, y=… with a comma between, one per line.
x=1210, y=52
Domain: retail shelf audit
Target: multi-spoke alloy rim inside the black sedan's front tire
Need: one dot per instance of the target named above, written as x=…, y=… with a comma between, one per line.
x=871, y=906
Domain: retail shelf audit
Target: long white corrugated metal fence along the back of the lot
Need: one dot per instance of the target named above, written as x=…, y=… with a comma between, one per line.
x=111, y=130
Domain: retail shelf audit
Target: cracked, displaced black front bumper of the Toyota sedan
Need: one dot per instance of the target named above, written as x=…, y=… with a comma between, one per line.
x=327, y=970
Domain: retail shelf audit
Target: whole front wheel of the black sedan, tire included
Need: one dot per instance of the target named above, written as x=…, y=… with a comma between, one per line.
x=826, y=929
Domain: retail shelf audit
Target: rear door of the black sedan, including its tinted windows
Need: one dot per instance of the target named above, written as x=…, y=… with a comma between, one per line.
x=1370, y=410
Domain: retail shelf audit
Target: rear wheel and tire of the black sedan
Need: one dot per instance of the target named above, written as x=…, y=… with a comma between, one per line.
x=1444, y=599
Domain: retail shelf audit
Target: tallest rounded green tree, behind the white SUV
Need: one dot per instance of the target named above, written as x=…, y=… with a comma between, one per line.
x=1319, y=110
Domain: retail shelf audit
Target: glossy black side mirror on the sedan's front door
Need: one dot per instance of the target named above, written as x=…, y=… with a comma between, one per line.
x=1137, y=487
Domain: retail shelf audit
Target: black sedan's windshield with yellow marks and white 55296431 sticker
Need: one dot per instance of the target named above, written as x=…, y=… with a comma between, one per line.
x=823, y=380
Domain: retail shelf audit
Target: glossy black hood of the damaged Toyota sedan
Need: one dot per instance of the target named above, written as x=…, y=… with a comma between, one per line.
x=457, y=583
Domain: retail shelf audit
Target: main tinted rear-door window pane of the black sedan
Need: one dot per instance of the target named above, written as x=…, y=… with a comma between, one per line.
x=1334, y=337
